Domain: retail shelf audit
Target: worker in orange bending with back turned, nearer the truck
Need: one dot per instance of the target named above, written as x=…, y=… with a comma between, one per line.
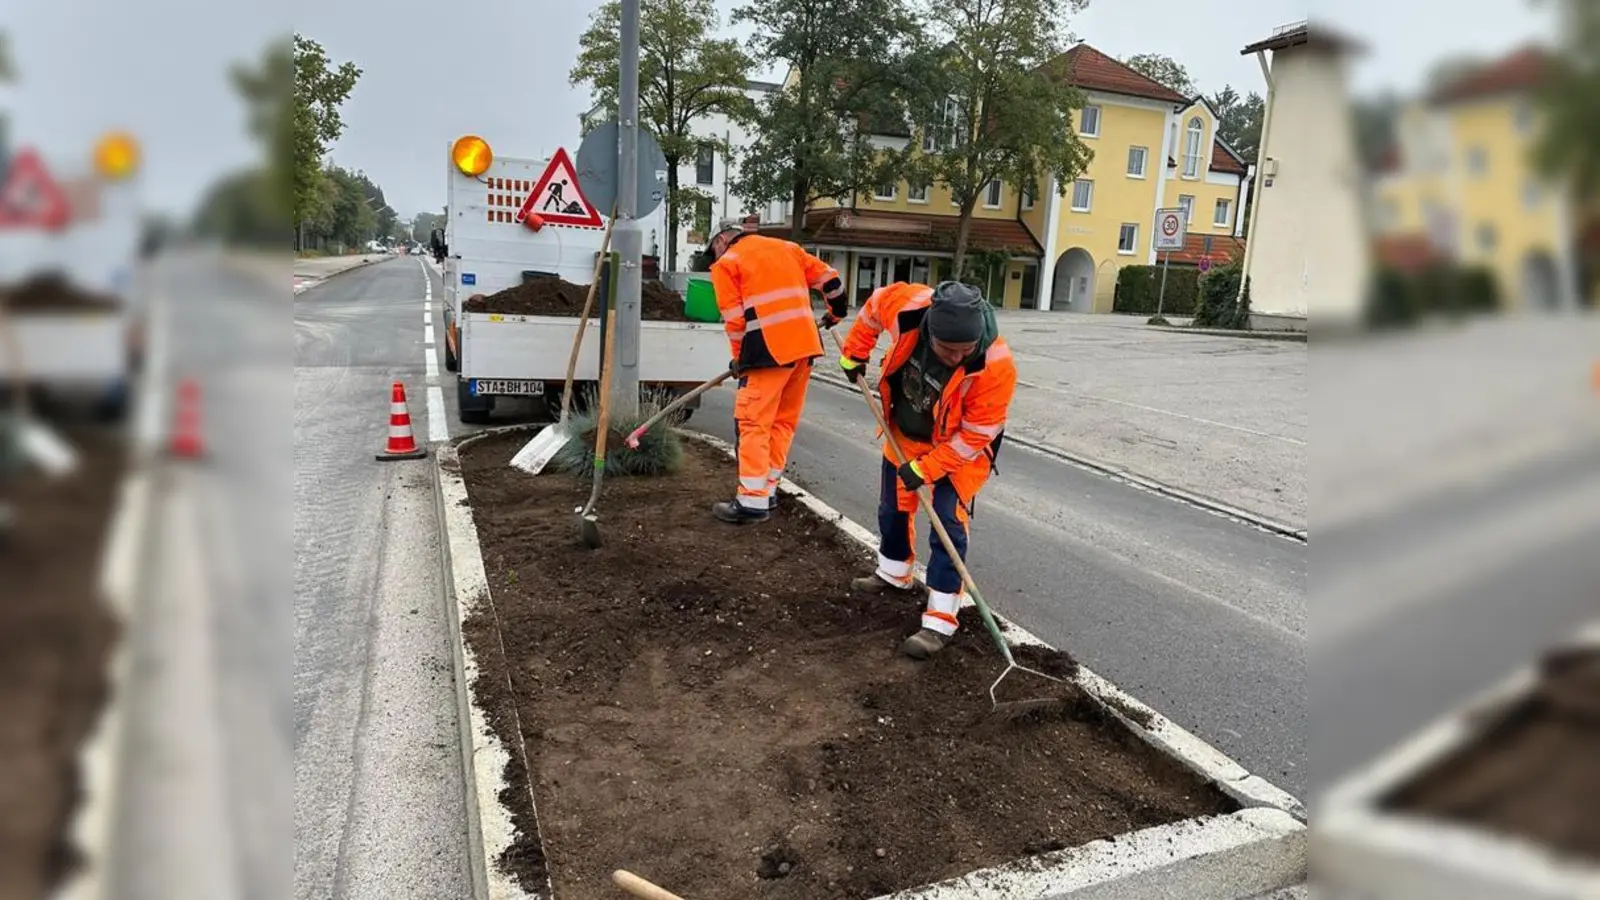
x=764, y=289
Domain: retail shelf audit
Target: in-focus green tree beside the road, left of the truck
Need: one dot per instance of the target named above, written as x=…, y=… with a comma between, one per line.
x=321, y=90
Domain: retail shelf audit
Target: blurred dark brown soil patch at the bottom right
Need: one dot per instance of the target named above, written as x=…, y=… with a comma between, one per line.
x=1537, y=774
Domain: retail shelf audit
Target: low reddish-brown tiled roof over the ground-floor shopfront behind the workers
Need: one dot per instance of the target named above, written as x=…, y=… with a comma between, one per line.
x=908, y=231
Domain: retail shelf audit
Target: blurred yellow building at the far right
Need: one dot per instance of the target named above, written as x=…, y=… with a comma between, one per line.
x=1458, y=187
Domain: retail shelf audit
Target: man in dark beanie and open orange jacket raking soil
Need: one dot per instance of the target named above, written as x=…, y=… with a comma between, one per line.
x=946, y=390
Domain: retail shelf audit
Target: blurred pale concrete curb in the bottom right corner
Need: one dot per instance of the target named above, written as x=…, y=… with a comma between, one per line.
x=1359, y=846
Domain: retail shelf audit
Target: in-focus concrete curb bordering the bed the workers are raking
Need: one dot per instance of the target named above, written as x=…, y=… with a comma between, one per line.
x=1244, y=854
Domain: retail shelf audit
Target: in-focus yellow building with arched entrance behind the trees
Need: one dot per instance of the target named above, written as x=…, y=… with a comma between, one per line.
x=1153, y=148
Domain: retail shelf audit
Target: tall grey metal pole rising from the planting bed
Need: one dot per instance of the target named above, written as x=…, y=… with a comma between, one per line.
x=626, y=236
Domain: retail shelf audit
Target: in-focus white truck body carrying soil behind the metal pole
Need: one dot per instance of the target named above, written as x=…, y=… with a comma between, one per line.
x=489, y=251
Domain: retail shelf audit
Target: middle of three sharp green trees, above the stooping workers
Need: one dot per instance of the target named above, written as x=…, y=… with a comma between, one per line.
x=858, y=68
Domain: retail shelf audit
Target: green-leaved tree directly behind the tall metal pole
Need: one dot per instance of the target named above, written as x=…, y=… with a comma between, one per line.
x=686, y=73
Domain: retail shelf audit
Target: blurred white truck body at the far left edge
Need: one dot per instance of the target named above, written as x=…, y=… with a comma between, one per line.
x=98, y=254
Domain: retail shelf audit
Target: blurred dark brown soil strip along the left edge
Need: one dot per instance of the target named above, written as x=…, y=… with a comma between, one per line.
x=55, y=638
